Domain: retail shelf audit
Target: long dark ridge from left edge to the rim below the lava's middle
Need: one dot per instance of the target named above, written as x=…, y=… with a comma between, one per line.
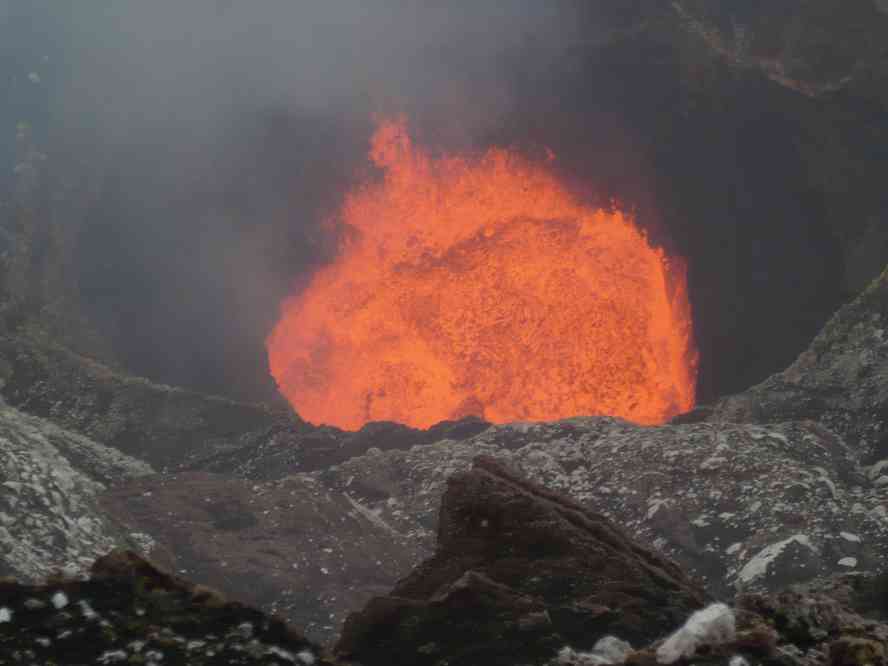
x=173, y=428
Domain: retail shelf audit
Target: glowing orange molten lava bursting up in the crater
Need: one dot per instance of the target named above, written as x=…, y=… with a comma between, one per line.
x=482, y=286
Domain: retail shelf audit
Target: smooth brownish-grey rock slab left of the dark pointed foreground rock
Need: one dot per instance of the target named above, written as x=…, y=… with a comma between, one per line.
x=291, y=546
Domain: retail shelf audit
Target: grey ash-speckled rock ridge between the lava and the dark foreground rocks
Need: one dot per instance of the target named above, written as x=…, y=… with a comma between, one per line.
x=785, y=483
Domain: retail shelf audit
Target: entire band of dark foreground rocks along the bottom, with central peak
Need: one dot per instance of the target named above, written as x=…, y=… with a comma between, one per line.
x=521, y=576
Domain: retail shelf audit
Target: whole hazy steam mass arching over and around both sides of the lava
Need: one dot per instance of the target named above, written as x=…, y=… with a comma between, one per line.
x=193, y=147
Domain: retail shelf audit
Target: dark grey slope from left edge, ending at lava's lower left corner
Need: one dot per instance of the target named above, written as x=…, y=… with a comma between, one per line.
x=163, y=425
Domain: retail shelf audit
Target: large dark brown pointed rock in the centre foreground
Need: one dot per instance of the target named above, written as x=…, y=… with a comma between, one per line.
x=518, y=572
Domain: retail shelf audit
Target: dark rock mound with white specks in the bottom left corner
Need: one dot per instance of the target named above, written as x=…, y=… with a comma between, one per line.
x=130, y=612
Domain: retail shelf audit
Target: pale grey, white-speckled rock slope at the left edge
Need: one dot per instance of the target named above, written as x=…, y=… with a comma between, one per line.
x=50, y=480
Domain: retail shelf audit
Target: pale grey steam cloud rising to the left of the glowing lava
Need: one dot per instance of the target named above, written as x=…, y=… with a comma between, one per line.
x=214, y=136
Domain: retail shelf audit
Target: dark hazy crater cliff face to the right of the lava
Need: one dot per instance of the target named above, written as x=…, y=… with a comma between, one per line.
x=749, y=135
